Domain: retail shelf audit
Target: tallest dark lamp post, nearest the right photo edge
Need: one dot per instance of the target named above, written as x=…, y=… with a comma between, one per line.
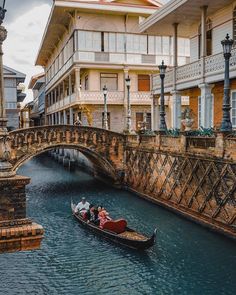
x=226, y=124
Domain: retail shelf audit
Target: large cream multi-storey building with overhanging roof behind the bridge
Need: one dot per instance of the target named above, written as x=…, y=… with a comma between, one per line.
x=89, y=44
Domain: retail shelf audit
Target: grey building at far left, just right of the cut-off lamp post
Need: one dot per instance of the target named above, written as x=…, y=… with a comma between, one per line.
x=13, y=95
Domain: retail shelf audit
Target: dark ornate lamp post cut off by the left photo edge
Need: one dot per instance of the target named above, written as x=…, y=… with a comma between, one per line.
x=3, y=36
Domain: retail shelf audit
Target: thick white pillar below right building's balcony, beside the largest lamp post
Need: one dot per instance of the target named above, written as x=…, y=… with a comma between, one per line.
x=206, y=105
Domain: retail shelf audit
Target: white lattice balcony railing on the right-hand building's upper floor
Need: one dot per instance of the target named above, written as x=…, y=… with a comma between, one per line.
x=190, y=74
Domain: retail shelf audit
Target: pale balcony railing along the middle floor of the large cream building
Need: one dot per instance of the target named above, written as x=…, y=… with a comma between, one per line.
x=96, y=97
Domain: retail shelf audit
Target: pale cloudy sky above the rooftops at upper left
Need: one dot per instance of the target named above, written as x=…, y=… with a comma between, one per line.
x=25, y=22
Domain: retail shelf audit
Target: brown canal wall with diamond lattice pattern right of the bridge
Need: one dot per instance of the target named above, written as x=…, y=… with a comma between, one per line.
x=201, y=187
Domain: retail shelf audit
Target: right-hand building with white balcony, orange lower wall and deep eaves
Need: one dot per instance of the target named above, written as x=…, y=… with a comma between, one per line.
x=206, y=23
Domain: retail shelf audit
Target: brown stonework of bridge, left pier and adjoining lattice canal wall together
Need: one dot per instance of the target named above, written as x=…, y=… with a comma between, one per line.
x=193, y=176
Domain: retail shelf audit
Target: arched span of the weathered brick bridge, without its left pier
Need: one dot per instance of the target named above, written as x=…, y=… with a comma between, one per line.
x=103, y=148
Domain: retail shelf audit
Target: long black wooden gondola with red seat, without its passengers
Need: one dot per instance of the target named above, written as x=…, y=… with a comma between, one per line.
x=128, y=238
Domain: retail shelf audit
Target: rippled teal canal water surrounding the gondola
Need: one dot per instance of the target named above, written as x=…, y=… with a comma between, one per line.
x=187, y=258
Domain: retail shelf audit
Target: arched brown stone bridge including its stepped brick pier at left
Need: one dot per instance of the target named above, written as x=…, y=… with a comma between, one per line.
x=105, y=149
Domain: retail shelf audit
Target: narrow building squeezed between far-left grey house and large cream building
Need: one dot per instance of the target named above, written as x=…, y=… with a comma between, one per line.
x=37, y=114
